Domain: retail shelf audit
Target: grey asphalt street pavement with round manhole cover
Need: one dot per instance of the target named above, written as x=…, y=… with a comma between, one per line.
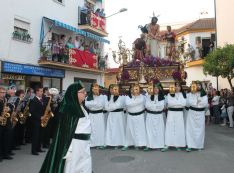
x=217, y=157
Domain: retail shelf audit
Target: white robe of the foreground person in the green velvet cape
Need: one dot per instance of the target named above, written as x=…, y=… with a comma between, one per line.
x=78, y=157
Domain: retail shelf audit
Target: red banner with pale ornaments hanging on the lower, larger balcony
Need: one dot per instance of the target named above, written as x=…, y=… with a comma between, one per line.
x=82, y=59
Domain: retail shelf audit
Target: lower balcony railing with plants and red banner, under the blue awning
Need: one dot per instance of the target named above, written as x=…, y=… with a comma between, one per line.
x=62, y=56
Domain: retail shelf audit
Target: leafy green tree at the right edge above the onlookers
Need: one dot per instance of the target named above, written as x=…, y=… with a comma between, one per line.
x=220, y=62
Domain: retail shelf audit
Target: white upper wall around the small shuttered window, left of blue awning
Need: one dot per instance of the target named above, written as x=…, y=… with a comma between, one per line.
x=31, y=11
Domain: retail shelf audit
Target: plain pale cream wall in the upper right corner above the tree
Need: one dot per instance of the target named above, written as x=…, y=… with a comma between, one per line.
x=224, y=21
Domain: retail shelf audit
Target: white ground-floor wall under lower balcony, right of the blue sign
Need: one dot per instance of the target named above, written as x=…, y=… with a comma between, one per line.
x=70, y=75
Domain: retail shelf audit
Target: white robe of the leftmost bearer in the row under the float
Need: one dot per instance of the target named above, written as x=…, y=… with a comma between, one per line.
x=97, y=120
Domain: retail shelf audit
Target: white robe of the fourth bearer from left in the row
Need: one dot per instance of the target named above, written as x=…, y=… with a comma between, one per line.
x=155, y=127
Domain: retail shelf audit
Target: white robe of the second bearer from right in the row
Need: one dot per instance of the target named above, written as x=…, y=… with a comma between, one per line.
x=175, y=131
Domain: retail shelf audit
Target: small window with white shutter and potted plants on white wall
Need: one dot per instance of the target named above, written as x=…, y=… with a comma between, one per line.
x=21, y=30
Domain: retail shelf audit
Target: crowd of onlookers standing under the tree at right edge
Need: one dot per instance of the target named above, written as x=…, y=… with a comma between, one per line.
x=220, y=109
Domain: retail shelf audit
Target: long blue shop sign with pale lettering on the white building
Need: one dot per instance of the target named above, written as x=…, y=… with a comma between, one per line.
x=9, y=67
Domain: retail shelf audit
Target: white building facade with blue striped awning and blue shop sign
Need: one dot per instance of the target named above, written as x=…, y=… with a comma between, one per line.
x=25, y=24
